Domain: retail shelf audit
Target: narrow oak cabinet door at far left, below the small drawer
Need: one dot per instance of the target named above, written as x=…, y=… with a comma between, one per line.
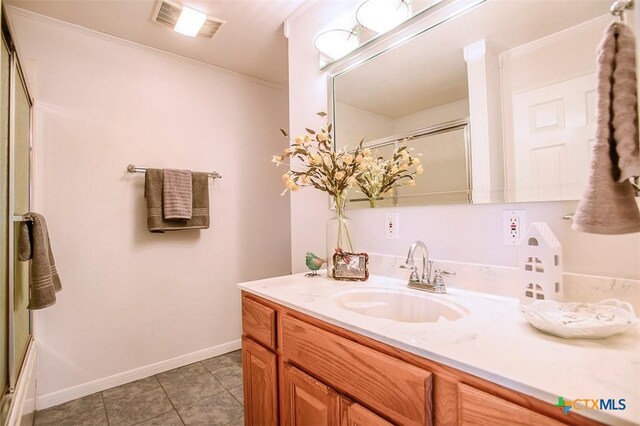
x=260, y=384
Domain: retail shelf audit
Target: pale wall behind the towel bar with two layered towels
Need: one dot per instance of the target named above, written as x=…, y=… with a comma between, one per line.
x=131, y=298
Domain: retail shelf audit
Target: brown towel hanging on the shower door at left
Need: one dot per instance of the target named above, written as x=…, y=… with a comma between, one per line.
x=34, y=244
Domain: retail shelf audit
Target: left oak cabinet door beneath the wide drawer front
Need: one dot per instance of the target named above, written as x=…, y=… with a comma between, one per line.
x=305, y=401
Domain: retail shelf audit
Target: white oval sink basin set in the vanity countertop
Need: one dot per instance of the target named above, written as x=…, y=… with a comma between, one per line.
x=397, y=305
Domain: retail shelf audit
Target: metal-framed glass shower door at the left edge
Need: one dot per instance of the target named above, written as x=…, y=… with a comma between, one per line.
x=15, y=201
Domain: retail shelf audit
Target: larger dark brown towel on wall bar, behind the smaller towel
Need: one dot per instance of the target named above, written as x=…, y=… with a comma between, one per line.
x=200, y=205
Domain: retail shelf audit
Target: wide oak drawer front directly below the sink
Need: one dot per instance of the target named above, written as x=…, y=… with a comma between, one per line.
x=397, y=390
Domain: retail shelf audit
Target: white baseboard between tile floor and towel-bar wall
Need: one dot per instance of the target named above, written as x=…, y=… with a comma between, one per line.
x=64, y=395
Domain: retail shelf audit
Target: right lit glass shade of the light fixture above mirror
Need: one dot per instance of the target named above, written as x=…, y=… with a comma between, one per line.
x=382, y=15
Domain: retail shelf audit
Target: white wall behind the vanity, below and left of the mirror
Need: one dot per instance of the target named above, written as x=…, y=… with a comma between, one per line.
x=456, y=233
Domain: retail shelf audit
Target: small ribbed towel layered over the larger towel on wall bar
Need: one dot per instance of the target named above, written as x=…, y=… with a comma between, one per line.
x=177, y=194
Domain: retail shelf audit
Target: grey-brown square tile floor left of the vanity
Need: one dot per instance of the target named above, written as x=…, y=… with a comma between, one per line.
x=205, y=393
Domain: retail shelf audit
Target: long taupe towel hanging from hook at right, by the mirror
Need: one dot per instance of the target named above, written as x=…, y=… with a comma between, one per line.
x=609, y=206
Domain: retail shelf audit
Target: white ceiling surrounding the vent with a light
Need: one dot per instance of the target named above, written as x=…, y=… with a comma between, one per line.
x=252, y=41
